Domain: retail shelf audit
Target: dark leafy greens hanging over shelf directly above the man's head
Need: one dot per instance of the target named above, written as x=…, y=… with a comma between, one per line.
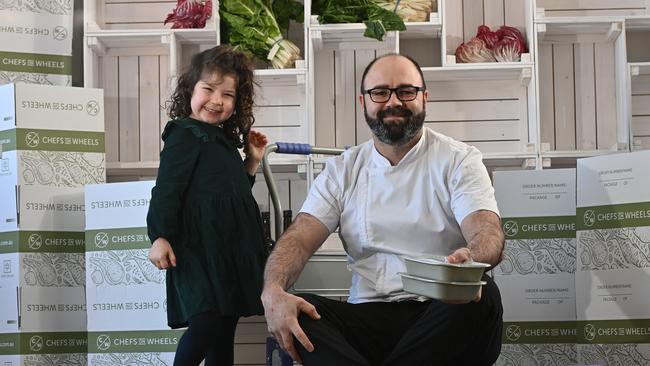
x=378, y=20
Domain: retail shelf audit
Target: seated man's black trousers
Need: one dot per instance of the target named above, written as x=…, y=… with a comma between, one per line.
x=408, y=333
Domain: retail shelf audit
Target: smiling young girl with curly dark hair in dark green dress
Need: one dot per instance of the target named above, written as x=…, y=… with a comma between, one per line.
x=203, y=221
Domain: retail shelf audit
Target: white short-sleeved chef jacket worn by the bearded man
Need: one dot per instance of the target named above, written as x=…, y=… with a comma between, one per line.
x=386, y=213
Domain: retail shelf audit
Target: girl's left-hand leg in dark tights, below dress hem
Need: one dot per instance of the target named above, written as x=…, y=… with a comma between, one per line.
x=195, y=343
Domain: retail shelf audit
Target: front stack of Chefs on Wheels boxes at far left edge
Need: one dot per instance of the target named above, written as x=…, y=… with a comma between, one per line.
x=52, y=141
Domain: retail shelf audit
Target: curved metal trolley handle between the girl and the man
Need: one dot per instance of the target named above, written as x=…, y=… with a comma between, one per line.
x=287, y=148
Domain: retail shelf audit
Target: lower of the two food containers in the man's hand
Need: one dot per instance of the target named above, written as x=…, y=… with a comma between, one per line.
x=441, y=290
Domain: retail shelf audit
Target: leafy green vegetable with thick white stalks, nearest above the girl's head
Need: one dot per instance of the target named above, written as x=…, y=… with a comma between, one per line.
x=251, y=25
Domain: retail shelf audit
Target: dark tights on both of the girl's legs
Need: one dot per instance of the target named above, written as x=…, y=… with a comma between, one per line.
x=210, y=336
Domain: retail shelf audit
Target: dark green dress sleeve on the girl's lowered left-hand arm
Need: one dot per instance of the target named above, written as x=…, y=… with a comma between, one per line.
x=177, y=161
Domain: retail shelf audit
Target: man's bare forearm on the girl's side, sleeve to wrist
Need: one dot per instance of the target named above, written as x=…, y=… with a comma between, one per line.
x=293, y=250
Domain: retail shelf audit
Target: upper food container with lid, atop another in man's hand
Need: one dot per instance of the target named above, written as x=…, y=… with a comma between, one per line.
x=438, y=269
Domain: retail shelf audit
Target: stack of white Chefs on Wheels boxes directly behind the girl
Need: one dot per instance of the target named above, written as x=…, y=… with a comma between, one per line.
x=127, y=322
